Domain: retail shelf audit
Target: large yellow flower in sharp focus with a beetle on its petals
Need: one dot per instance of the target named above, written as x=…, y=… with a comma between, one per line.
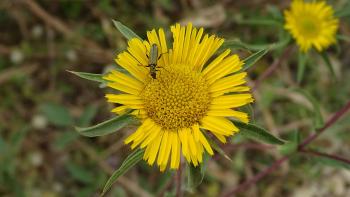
x=190, y=96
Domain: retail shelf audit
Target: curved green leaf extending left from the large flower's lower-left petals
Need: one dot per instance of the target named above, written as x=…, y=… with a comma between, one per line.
x=106, y=127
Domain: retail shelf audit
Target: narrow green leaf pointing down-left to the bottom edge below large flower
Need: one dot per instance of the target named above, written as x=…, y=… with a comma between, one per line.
x=129, y=162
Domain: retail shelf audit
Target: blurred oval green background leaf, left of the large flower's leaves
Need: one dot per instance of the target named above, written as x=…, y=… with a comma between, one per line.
x=56, y=114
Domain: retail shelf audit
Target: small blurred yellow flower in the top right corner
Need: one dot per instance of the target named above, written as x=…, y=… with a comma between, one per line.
x=311, y=24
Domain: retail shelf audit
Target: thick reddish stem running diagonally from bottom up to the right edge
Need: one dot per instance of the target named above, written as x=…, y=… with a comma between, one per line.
x=279, y=162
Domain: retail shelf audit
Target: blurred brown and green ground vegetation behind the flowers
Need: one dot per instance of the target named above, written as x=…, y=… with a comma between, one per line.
x=40, y=102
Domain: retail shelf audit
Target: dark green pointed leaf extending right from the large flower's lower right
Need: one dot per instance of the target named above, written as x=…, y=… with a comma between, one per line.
x=257, y=133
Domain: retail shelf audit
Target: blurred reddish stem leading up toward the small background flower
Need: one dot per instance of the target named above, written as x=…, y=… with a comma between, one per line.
x=273, y=67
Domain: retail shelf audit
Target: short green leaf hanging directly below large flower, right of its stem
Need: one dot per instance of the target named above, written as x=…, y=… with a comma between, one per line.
x=195, y=176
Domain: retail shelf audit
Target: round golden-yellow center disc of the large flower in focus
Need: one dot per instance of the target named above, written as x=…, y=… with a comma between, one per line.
x=177, y=98
